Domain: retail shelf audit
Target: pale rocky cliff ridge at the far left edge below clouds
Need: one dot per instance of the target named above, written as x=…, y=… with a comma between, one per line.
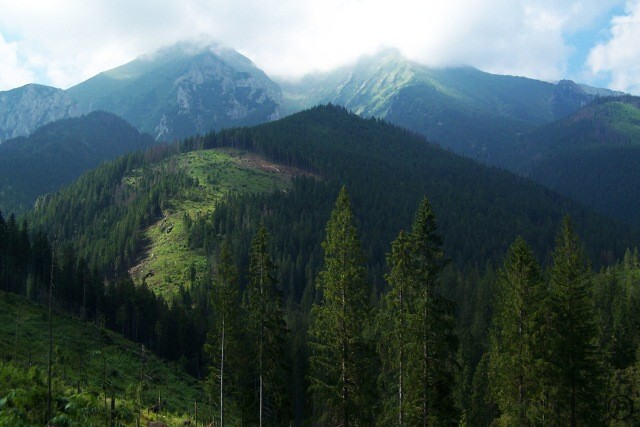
x=24, y=109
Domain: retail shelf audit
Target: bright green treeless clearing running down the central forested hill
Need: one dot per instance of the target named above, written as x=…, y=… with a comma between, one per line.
x=167, y=260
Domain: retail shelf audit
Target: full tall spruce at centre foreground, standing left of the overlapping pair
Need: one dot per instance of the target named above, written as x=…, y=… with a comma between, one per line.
x=340, y=380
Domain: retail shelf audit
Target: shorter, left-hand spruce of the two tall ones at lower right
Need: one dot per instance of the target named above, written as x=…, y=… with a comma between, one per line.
x=518, y=321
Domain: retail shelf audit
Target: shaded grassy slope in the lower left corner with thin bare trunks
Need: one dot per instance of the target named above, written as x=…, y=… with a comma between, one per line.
x=83, y=349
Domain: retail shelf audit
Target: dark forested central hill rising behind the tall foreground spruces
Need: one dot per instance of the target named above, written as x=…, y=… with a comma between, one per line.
x=387, y=170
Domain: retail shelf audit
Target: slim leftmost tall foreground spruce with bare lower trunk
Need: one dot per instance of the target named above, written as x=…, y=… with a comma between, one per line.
x=223, y=337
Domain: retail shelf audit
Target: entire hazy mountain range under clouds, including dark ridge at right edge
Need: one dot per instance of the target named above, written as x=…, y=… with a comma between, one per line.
x=527, y=126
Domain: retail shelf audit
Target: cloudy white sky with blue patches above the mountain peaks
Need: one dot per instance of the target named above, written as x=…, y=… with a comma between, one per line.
x=63, y=42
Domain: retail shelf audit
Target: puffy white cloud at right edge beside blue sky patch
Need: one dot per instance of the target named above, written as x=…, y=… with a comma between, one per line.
x=619, y=57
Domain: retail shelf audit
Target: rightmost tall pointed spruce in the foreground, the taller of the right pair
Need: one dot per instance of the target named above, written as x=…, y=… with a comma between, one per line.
x=574, y=355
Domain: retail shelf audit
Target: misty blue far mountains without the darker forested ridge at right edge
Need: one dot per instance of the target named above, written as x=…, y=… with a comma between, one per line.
x=192, y=88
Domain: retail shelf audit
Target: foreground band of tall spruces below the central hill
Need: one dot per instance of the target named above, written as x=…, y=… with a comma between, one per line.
x=562, y=341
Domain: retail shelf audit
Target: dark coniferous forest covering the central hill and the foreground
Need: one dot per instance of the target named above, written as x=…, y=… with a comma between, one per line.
x=391, y=283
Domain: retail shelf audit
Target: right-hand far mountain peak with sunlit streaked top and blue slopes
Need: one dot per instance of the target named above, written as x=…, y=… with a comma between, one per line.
x=473, y=113
